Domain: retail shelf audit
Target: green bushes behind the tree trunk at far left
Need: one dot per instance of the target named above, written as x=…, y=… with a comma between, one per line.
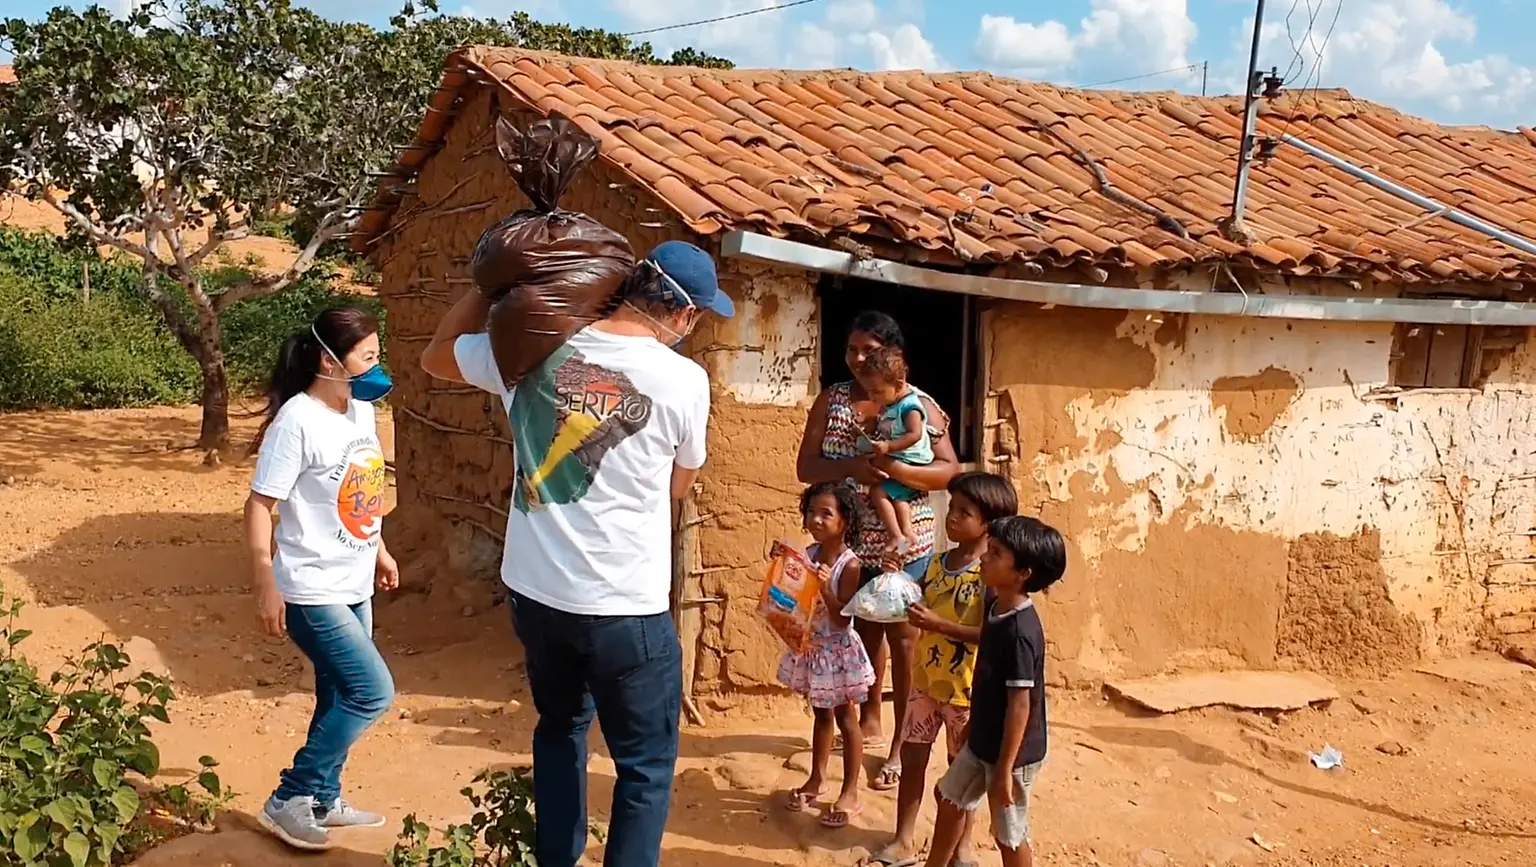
x=58, y=350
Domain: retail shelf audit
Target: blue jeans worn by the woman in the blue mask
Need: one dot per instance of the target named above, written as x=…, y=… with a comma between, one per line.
x=353, y=689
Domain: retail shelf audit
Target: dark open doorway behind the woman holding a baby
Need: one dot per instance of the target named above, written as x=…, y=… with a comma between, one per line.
x=941, y=331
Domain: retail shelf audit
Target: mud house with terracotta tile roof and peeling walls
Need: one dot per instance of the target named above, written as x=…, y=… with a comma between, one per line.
x=1314, y=447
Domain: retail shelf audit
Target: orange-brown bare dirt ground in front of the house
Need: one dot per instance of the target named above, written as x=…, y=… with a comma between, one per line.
x=107, y=531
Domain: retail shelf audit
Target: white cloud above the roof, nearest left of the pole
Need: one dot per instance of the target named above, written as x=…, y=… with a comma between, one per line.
x=1116, y=38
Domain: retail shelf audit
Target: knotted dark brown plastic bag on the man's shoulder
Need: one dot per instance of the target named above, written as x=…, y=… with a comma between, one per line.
x=551, y=271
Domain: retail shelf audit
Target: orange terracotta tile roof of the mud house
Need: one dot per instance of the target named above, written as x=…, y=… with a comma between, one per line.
x=979, y=168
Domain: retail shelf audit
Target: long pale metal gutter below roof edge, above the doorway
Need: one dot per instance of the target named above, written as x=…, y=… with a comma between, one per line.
x=1437, y=311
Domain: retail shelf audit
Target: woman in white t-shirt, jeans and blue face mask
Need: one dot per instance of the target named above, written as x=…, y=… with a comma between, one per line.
x=322, y=471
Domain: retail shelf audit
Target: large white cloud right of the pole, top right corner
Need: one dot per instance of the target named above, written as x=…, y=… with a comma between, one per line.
x=1395, y=51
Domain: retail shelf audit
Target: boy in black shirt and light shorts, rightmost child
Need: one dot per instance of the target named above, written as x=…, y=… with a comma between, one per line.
x=1007, y=739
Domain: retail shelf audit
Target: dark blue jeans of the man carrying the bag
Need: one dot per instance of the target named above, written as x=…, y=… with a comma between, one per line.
x=629, y=669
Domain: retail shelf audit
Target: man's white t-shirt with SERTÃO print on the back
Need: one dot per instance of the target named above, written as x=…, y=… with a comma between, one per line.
x=597, y=431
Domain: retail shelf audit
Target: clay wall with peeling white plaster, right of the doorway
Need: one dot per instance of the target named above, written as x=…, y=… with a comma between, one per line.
x=1250, y=493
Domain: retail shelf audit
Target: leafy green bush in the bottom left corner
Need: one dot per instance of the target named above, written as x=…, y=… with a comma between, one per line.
x=67, y=748
